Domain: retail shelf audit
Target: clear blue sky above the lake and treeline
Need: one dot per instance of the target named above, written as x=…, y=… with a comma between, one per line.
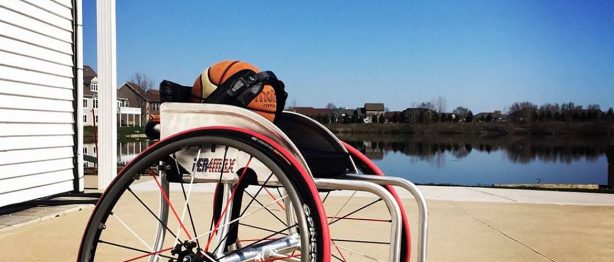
x=483, y=55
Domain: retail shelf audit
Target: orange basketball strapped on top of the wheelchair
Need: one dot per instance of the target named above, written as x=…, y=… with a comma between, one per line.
x=210, y=79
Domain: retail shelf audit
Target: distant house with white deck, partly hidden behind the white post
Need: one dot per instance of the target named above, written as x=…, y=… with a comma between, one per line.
x=128, y=113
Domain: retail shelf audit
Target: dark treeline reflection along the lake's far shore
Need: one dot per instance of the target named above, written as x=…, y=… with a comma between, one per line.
x=518, y=150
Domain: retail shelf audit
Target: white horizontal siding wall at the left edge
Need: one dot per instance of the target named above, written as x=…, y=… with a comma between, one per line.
x=37, y=94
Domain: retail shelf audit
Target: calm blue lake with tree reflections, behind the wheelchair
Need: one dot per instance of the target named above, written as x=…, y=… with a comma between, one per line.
x=469, y=160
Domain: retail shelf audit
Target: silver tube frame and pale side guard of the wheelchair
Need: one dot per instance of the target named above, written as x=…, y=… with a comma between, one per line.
x=176, y=117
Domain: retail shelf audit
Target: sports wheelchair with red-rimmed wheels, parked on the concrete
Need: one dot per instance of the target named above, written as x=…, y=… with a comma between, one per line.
x=225, y=184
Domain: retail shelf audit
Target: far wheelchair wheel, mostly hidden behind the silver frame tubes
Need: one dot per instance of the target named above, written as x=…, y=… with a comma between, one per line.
x=354, y=217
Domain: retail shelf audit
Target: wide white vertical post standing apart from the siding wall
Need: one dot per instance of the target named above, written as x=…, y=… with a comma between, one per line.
x=107, y=80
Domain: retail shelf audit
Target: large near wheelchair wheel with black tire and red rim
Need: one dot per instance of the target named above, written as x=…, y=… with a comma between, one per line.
x=209, y=194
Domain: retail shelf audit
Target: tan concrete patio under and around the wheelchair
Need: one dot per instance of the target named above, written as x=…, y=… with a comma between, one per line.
x=466, y=224
